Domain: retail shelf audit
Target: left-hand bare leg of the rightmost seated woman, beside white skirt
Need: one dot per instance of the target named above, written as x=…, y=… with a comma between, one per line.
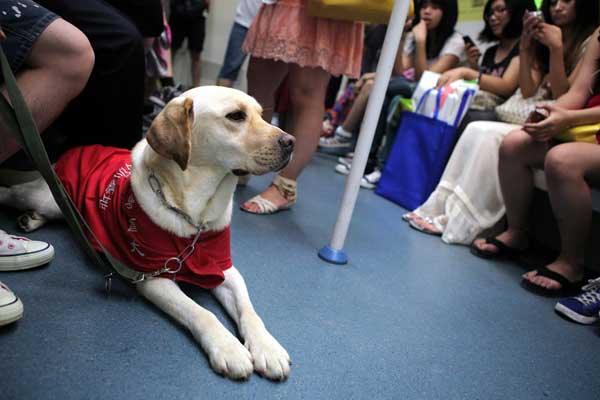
x=518, y=154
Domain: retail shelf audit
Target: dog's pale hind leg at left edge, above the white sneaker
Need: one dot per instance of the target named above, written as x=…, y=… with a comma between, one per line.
x=36, y=198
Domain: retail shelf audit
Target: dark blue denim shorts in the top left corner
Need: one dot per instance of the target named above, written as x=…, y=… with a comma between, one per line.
x=22, y=21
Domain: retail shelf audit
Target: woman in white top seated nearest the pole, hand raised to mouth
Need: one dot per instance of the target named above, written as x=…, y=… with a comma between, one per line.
x=430, y=44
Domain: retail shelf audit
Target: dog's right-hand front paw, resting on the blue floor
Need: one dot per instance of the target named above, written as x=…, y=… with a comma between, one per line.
x=270, y=358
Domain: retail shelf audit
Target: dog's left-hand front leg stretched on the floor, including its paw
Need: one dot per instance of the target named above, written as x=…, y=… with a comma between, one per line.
x=226, y=354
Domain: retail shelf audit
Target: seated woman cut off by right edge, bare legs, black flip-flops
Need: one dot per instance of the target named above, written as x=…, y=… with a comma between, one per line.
x=569, y=169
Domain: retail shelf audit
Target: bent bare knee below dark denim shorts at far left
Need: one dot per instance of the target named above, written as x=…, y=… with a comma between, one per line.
x=56, y=71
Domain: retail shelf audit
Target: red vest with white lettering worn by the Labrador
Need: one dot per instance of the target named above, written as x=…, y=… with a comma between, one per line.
x=97, y=179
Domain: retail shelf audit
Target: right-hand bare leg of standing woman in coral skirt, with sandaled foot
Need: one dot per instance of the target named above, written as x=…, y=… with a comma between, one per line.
x=307, y=94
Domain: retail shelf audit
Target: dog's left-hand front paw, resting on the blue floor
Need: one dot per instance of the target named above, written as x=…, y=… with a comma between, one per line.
x=228, y=356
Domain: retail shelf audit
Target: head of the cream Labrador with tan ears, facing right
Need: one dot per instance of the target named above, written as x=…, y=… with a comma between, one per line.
x=218, y=126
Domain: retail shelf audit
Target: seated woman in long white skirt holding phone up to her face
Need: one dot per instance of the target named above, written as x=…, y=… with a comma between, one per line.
x=467, y=200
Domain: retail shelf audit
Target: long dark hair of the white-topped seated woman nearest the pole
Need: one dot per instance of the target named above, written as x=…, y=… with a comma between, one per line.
x=435, y=42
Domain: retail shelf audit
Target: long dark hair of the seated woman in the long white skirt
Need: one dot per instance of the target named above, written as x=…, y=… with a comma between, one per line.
x=587, y=14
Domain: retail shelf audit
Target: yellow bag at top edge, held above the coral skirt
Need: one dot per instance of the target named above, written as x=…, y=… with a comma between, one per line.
x=376, y=11
